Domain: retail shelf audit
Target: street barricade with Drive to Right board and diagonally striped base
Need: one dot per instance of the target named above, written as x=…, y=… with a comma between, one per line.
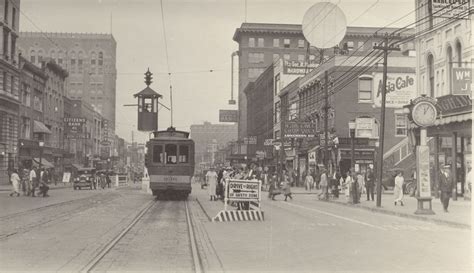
x=247, y=195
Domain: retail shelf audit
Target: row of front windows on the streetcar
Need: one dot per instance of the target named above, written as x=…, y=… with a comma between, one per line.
x=170, y=154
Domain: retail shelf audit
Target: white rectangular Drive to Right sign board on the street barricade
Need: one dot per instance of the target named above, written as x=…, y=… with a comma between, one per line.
x=243, y=190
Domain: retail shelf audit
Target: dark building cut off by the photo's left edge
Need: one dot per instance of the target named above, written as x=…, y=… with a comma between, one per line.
x=9, y=87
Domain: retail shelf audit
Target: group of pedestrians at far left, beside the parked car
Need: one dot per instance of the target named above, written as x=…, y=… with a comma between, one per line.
x=29, y=180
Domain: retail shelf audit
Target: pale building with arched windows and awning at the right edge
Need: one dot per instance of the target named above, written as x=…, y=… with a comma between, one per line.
x=444, y=58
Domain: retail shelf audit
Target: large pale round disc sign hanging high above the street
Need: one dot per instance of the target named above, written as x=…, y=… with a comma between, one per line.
x=324, y=25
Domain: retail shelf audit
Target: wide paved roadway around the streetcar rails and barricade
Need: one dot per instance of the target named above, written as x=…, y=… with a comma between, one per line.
x=67, y=230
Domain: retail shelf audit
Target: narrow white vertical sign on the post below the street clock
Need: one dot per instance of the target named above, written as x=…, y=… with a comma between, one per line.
x=423, y=170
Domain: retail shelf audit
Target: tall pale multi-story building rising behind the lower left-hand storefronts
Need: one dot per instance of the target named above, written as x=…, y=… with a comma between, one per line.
x=90, y=60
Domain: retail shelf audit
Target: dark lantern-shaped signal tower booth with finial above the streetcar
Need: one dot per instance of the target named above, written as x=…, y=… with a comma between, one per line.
x=147, y=106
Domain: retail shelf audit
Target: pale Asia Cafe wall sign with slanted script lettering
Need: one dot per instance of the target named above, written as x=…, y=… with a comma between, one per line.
x=401, y=88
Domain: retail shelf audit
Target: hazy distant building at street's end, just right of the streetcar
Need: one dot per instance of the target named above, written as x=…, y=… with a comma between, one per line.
x=208, y=138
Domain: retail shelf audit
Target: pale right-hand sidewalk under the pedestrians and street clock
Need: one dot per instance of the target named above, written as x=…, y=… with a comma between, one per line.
x=459, y=214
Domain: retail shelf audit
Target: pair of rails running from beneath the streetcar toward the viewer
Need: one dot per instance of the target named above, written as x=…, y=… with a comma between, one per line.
x=109, y=246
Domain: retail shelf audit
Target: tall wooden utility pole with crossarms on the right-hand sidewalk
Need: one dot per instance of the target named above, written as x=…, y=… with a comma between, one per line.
x=386, y=49
